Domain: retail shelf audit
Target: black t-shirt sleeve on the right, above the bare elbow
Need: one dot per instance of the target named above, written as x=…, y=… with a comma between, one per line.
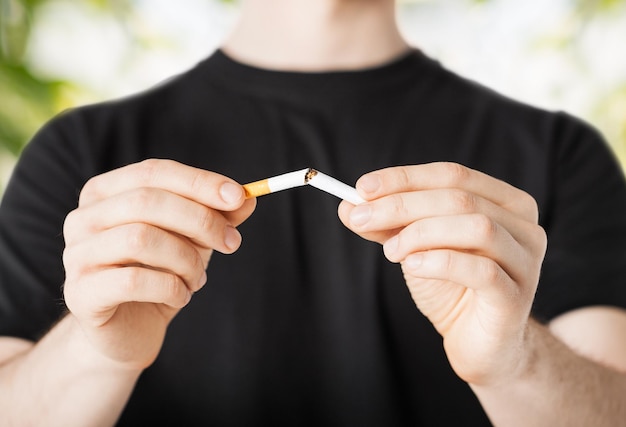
x=585, y=220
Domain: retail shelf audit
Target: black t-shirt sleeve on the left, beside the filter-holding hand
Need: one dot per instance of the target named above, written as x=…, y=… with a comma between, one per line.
x=43, y=189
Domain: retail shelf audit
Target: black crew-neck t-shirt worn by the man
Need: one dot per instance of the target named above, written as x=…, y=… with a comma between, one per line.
x=308, y=324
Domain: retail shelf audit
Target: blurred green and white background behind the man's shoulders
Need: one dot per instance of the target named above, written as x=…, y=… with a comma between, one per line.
x=56, y=54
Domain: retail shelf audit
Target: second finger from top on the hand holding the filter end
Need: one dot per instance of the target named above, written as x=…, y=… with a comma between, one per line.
x=204, y=226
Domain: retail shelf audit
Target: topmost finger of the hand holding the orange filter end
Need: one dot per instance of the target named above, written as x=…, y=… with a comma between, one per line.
x=205, y=187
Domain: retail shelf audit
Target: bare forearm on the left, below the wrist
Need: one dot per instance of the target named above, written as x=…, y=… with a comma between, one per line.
x=63, y=381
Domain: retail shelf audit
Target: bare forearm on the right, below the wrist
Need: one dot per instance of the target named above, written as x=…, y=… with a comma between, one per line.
x=556, y=387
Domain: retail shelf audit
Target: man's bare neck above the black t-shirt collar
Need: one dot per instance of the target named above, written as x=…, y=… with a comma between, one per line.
x=321, y=35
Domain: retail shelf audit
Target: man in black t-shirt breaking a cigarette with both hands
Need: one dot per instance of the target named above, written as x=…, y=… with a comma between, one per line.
x=306, y=323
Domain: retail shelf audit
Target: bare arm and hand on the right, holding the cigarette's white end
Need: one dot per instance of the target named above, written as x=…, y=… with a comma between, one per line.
x=471, y=251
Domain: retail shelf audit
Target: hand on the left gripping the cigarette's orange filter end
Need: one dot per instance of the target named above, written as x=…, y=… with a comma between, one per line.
x=137, y=248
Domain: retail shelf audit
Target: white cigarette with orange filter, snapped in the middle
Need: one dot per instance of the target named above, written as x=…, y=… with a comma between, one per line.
x=302, y=177
